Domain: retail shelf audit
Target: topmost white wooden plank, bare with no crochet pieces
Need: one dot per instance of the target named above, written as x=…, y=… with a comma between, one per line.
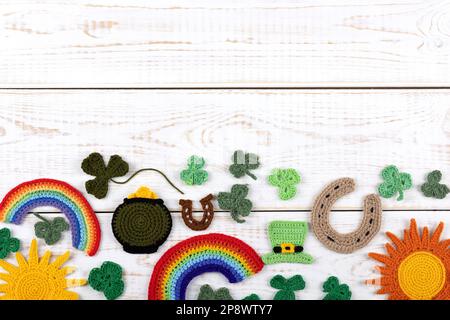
x=181, y=43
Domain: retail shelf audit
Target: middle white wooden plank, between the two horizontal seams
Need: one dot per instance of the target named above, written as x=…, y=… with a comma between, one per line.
x=324, y=134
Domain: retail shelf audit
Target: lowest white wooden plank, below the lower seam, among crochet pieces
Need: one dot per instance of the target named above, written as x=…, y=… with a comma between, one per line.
x=352, y=269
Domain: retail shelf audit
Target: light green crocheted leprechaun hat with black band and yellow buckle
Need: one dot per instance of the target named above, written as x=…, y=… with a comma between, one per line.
x=287, y=238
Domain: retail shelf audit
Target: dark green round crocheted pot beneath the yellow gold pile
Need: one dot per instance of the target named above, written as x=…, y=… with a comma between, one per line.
x=142, y=225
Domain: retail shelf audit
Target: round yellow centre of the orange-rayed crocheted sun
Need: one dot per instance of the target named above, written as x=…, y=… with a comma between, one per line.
x=421, y=275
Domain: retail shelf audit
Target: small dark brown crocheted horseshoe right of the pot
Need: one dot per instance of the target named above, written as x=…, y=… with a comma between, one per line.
x=208, y=213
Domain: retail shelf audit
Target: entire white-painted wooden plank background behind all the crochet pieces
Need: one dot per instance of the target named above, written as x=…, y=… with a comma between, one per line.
x=182, y=78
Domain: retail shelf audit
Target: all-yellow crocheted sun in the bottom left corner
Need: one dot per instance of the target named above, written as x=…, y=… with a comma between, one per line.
x=38, y=279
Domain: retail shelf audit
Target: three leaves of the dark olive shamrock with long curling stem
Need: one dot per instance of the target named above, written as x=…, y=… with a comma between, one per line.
x=94, y=165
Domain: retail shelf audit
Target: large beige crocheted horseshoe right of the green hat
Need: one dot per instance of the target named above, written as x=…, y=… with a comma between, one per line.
x=344, y=243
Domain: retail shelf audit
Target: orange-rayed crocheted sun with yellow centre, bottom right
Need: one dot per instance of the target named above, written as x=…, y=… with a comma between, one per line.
x=415, y=268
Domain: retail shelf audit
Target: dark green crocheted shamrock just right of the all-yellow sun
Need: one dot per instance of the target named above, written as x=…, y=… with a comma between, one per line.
x=107, y=279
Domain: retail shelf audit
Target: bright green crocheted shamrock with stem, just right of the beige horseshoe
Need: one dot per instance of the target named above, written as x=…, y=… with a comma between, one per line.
x=394, y=181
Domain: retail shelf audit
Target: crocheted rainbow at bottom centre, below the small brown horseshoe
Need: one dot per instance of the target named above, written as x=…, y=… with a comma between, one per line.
x=197, y=255
